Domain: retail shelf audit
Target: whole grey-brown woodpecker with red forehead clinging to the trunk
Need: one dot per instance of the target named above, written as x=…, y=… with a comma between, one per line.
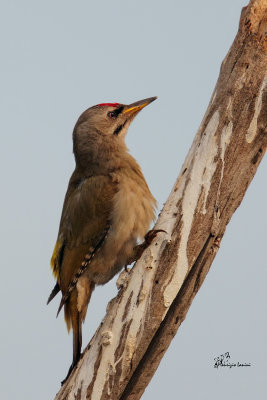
x=108, y=207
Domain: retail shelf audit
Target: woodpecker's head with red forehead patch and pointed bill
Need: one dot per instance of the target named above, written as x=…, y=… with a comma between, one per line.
x=104, y=126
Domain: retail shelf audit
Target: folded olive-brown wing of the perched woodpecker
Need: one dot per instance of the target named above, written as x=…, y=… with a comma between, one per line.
x=84, y=223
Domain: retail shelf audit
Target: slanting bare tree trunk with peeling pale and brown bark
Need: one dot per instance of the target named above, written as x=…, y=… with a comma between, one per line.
x=154, y=298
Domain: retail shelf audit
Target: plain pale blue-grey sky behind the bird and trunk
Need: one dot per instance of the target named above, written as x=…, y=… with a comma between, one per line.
x=57, y=59
